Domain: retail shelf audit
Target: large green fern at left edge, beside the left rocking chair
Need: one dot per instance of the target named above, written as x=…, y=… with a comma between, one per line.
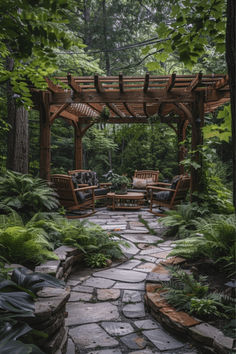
x=26, y=194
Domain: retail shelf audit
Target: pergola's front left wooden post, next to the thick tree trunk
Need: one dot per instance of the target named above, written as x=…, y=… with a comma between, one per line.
x=45, y=135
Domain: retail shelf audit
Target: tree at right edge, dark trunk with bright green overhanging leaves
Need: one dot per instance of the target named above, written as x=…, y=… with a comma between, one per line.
x=192, y=25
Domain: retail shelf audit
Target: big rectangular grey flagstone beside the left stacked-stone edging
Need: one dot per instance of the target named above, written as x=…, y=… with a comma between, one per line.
x=89, y=312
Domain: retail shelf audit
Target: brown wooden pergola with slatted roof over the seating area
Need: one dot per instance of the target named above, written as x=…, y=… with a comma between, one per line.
x=177, y=100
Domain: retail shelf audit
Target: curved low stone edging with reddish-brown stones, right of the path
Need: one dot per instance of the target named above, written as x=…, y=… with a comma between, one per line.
x=211, y=338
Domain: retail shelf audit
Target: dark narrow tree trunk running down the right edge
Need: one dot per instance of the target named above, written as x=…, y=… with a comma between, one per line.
x=231, y=63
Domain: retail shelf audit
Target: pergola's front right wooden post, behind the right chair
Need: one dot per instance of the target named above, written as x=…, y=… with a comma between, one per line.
x=197, y=124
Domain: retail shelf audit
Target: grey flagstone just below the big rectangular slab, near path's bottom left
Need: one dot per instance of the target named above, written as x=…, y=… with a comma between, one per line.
x=97, y=338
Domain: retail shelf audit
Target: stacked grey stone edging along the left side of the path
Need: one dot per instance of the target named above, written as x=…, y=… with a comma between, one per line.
x=50, y=306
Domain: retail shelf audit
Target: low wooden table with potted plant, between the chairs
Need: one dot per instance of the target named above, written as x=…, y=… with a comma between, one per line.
x=130, y=200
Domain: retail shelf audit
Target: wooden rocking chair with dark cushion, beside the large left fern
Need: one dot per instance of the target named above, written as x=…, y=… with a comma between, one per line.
x=74, y=199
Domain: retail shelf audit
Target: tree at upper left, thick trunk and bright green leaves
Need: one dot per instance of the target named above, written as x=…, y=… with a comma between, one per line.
x=30, y=30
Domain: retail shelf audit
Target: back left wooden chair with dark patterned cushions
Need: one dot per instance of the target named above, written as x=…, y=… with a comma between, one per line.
x=85, y=178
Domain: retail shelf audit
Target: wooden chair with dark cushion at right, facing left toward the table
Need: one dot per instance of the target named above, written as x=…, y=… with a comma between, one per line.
x=169, y=194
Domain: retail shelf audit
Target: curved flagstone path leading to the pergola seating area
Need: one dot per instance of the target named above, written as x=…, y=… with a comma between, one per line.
x=106, y=313
